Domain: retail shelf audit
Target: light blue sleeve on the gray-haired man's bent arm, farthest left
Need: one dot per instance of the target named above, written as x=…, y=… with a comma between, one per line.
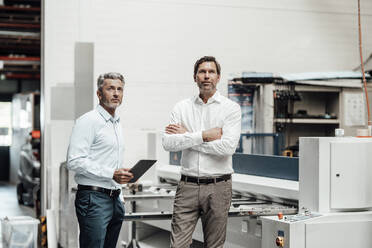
x=78, y=159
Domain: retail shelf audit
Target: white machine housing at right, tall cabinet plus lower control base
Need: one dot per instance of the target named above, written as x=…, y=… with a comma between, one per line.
x=335, y=197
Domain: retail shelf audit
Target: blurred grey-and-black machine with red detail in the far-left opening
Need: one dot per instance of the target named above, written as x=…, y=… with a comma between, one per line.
x=25, y=151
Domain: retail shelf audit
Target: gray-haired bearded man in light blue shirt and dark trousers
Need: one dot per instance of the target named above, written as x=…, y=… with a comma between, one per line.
x=95, y=154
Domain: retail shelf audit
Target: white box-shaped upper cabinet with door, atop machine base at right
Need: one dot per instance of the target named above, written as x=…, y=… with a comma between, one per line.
x=334, y=174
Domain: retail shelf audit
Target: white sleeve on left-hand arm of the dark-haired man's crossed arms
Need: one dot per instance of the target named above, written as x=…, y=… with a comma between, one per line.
x=179, y=142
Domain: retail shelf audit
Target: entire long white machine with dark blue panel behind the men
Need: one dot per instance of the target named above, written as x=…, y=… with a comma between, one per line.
x=321, y=200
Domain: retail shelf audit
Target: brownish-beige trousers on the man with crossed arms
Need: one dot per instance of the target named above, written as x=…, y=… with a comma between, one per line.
x=211, y=202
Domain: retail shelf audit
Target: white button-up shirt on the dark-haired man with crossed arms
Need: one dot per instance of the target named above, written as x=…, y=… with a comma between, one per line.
x=205, y=159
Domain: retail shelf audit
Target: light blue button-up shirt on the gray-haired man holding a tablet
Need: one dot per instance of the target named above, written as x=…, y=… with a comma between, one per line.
x=96, y=149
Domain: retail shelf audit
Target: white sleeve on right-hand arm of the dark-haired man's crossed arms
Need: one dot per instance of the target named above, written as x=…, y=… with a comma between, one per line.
x=230, y=136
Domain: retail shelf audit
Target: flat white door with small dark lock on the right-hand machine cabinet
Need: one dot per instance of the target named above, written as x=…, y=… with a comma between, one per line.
x=351, y=173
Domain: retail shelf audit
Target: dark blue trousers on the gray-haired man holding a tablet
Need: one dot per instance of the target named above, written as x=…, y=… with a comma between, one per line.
x=100, y=217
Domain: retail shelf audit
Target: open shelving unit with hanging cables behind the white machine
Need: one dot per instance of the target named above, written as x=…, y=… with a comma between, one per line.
x=277, y=109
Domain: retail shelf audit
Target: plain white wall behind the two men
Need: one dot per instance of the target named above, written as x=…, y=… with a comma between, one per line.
x=155, y=43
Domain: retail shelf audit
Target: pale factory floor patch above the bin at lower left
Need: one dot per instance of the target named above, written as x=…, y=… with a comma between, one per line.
x=9, y=206
